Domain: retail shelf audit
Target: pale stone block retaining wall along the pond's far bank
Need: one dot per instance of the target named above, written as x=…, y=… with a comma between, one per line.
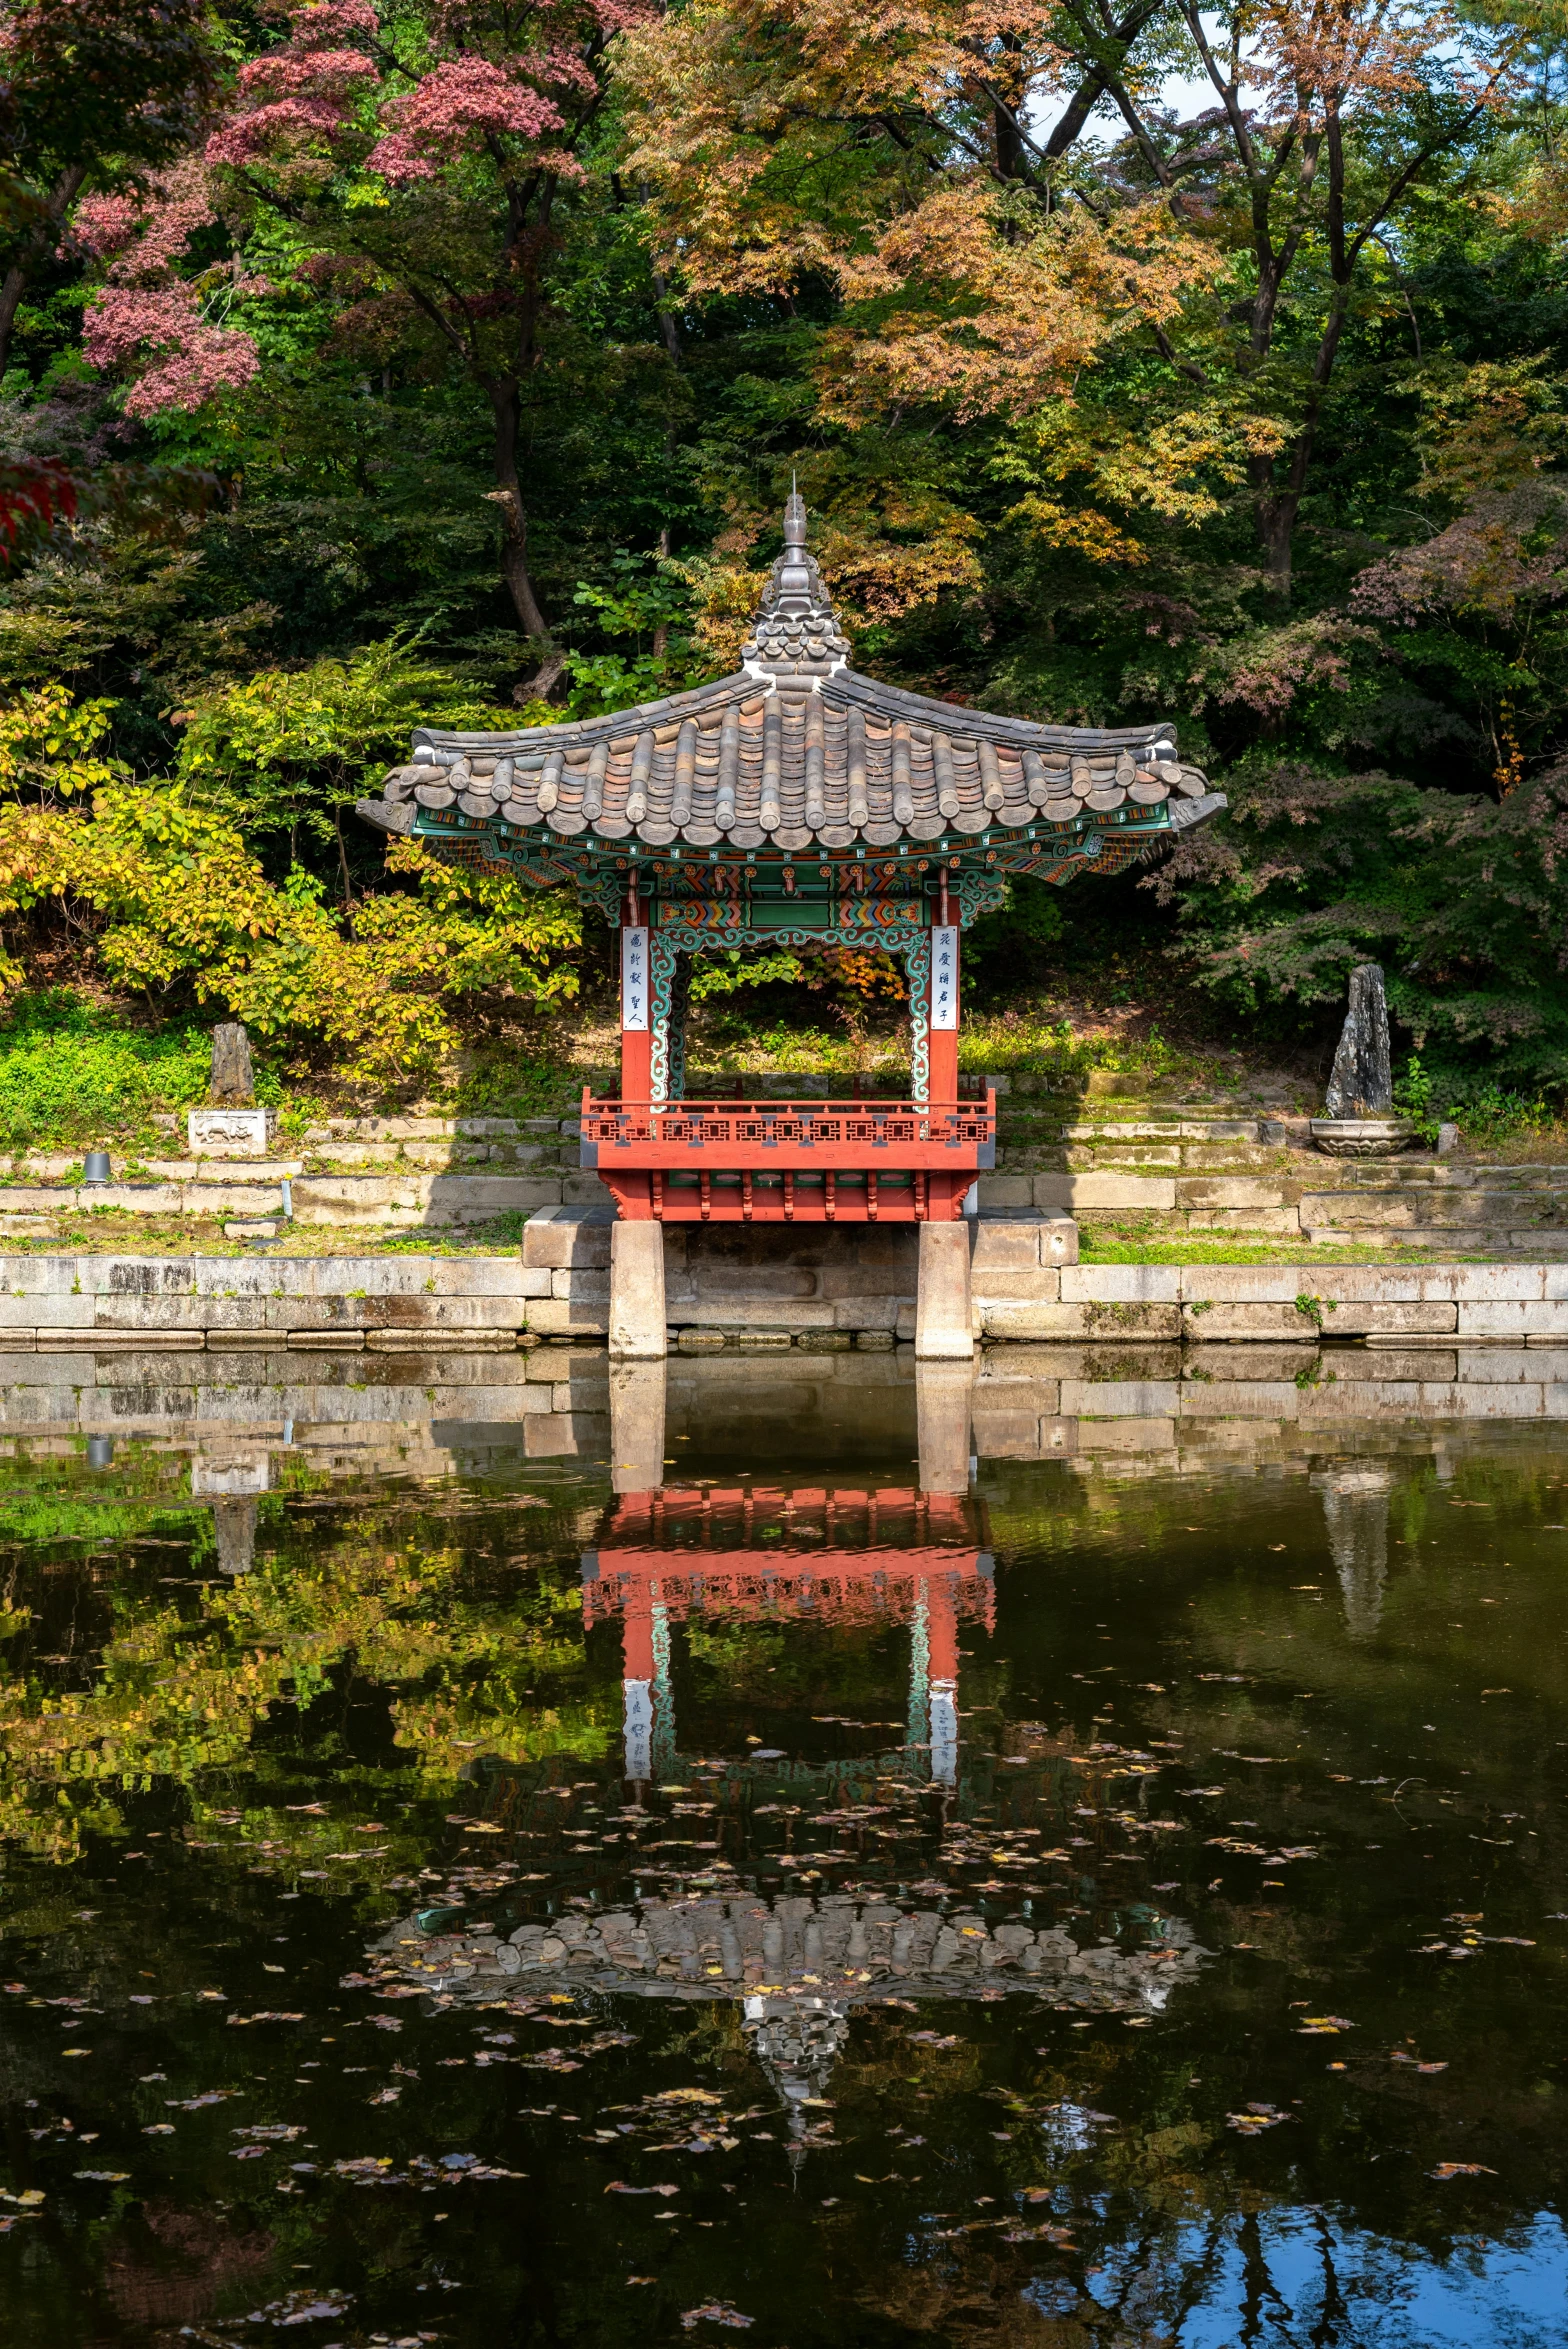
x=813, y=1291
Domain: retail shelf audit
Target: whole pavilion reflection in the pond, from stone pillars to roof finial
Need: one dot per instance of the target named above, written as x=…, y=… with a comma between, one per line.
x=799, y=1965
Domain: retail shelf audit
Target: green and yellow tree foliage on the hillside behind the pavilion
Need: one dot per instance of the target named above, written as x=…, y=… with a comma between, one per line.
x=1388, y=713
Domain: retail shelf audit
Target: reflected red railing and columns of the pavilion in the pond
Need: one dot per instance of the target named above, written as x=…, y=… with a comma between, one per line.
x=792, y=1554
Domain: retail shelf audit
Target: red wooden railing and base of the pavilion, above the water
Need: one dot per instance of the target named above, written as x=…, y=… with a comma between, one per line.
x=783, y=1162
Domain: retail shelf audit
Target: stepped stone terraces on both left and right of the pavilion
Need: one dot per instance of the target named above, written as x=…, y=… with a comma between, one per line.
x=1137, y=1164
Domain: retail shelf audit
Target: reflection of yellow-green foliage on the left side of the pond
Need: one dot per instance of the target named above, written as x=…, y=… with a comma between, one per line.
x=182, y=1683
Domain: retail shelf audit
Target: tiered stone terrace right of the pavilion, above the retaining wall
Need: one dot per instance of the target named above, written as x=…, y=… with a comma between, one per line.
x=1208, y=1166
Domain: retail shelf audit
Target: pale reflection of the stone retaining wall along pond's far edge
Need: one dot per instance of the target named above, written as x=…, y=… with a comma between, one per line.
x=1118, y=1406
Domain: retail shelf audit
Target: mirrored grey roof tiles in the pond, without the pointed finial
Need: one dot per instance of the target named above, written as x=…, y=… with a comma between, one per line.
x=832, y=1948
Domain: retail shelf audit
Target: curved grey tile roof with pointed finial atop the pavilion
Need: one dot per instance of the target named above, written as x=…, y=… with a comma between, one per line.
x=795, y=751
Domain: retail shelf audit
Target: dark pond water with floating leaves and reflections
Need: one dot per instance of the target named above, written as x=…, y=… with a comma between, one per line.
x=762, y=1869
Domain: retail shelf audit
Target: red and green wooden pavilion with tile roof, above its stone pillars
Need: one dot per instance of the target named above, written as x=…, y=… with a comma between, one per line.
x=795, y=805
